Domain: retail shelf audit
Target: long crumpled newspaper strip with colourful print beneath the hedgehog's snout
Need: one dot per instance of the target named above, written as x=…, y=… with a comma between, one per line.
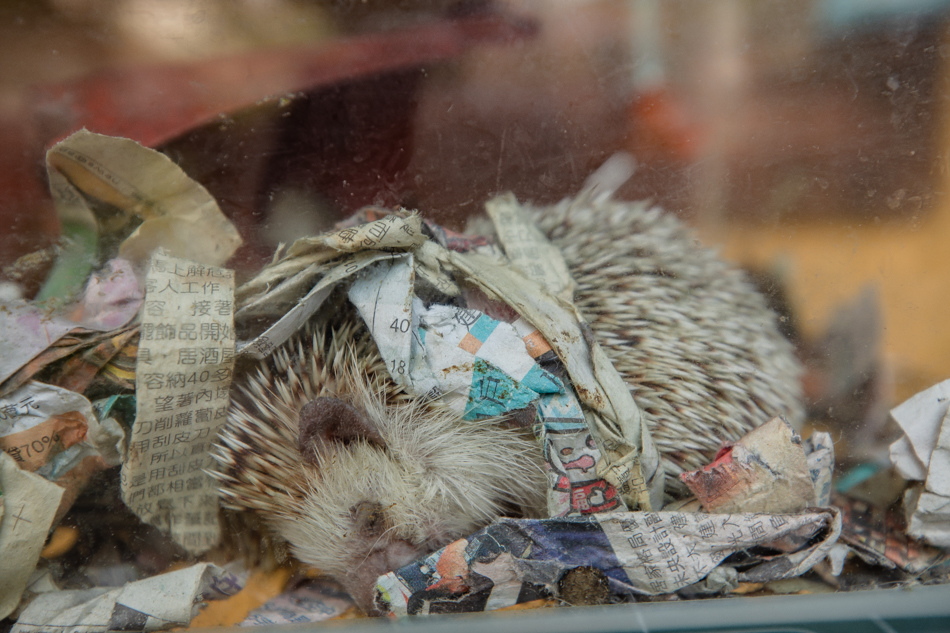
x=645, y=553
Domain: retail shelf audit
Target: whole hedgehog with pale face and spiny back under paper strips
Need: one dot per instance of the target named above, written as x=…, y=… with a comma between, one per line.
x=360, y=477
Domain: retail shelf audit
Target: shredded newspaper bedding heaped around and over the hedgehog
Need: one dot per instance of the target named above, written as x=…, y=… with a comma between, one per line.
x=518, y=343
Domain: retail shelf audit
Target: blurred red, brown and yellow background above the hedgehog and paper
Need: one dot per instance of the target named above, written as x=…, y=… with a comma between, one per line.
x=806, y=139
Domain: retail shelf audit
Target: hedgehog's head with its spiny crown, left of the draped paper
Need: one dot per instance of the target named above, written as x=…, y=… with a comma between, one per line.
x=356, y=475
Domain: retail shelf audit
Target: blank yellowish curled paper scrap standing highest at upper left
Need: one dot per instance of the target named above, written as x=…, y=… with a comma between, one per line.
x=151, y=203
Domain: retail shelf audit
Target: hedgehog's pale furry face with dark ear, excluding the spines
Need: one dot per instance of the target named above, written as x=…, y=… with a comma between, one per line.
x=384, y=485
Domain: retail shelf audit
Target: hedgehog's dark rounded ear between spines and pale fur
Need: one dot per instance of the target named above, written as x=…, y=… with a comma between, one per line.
x=330, y=420
